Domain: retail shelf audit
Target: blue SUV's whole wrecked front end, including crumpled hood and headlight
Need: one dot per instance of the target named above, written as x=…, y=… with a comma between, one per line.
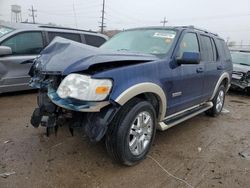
x=68, y=91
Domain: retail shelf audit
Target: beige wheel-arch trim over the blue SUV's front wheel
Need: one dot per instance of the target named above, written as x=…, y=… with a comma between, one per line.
x=146, y=87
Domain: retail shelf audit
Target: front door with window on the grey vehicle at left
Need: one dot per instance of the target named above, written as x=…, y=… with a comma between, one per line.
x=14, y=68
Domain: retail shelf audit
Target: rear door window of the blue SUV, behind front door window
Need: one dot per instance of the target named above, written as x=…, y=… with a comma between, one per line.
x=207, y=49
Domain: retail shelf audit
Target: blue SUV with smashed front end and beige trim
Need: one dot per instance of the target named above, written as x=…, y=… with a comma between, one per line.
x=139, y=81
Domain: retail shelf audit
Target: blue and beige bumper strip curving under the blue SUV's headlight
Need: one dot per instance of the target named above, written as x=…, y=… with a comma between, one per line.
x=75, y=105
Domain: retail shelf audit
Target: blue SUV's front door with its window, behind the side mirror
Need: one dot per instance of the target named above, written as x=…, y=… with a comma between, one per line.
x=188, y=83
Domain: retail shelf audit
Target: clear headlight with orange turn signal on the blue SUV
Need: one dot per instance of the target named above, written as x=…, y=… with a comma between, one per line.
x=84, y=88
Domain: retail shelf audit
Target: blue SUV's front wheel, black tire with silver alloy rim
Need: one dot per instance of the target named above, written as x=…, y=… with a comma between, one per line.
x=132, y=132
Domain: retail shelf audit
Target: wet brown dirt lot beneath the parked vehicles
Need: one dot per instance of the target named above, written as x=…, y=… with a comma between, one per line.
x=204, y=151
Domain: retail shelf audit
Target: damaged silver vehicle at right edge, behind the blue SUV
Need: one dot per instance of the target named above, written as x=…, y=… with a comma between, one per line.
x=241, y=70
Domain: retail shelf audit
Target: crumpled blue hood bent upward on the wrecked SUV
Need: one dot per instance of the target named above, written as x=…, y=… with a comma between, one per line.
x=66, y=56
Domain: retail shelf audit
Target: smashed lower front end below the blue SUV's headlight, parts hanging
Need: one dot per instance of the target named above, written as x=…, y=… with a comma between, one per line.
x=54, y=111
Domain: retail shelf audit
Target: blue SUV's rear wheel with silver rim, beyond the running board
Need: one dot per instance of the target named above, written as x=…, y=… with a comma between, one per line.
x=218, y=102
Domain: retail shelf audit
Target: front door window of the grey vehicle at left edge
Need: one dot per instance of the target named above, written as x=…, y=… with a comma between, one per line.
x=28, y=43
